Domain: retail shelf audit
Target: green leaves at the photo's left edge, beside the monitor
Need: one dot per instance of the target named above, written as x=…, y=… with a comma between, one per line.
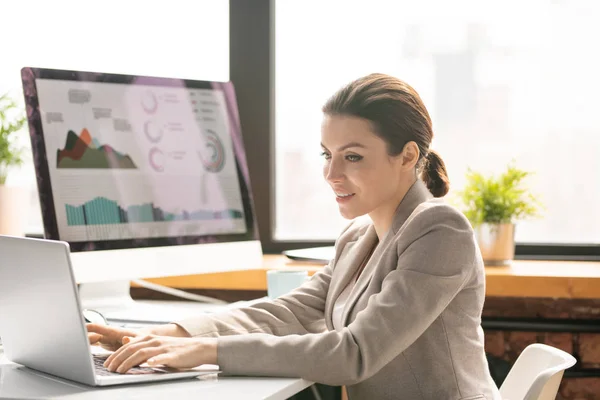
x=11, y=121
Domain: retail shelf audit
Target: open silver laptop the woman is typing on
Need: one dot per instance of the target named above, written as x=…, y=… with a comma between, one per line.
x=41, y=323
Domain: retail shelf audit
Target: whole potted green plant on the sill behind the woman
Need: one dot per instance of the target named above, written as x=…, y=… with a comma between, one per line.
x=493, y=205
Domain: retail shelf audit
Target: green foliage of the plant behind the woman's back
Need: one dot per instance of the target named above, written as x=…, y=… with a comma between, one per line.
x=501, y=199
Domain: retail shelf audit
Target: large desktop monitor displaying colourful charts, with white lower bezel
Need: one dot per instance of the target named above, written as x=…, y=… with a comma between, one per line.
x=142, y=176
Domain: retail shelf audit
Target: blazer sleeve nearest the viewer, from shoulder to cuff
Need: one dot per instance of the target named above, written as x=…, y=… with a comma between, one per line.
x=429, y=274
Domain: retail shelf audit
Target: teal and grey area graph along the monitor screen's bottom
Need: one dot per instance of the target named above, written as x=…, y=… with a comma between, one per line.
x=103, y=211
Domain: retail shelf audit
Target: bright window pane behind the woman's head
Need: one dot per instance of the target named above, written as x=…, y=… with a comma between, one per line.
x=502, y=81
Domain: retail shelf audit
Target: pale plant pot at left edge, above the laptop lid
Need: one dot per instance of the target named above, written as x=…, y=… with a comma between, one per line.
x=14, y=210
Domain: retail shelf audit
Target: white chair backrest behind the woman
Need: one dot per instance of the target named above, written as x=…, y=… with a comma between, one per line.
x=536, y=374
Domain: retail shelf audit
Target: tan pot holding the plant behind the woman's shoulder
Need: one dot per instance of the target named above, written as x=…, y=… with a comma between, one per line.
x=496, y=242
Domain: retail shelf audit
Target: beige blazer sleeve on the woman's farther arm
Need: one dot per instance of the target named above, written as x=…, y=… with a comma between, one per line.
x=299, y=312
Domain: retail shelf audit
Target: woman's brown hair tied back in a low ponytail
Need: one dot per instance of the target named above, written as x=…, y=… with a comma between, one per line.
x=398, y=116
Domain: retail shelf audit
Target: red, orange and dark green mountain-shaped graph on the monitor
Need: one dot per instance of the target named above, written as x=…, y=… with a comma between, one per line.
x=84, y=151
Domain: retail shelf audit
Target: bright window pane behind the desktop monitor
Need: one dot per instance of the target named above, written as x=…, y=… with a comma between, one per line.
x=173, y=39
